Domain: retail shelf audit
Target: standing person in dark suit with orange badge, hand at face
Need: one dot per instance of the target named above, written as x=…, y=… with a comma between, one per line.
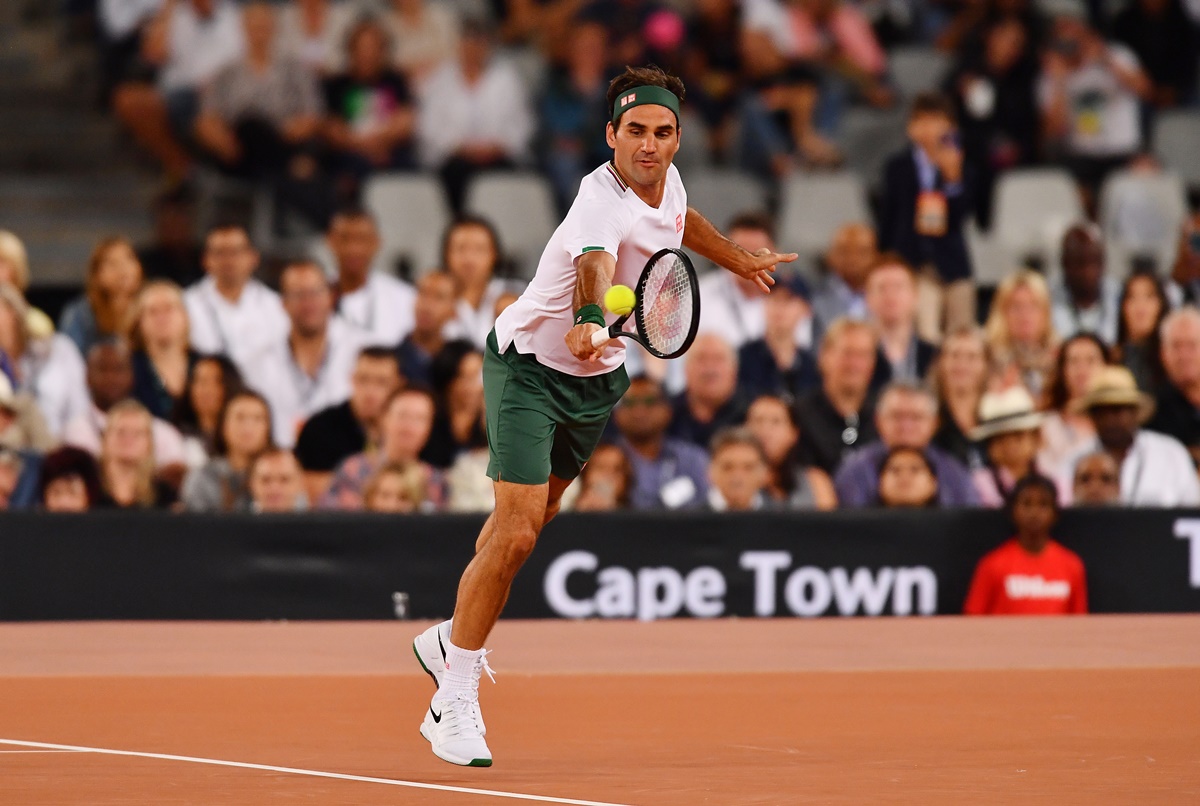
x=927, y=199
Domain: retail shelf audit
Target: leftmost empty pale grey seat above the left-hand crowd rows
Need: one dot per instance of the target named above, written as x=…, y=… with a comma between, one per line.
x=412, y=214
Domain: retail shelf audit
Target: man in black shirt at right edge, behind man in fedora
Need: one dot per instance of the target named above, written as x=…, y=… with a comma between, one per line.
x=1178, y=405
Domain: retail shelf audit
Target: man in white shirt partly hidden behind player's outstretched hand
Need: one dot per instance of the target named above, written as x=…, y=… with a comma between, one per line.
x=737, y=309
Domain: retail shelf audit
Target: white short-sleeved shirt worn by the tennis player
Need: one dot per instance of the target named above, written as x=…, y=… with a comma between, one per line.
x=607, y=215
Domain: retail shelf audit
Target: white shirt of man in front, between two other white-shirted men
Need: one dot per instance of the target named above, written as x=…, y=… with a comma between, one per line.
x=292, y=394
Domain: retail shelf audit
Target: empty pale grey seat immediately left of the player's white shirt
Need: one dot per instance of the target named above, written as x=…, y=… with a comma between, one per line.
x=523, y=209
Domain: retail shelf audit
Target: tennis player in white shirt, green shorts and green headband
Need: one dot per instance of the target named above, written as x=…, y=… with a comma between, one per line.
x=549, y=392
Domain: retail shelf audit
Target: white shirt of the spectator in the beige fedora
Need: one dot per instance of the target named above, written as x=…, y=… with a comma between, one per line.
x=1157, y=472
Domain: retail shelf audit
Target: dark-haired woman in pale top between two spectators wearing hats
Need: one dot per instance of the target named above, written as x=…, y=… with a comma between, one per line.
x=1065, y=431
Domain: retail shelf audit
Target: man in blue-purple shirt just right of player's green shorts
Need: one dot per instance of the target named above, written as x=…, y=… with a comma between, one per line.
x=668, y=473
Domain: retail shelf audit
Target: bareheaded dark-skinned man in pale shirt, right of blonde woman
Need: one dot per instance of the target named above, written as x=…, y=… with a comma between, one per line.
x=1084, y=300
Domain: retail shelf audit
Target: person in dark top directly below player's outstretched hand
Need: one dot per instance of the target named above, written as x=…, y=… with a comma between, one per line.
x=775, y=364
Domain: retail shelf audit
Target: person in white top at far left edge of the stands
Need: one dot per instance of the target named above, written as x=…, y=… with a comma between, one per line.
x=50, y=369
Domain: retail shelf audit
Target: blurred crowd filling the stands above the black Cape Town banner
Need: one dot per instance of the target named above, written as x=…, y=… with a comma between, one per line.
x=995, y=203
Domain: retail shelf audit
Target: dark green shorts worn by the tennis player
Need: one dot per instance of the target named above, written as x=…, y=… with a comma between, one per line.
x=542, y=422
